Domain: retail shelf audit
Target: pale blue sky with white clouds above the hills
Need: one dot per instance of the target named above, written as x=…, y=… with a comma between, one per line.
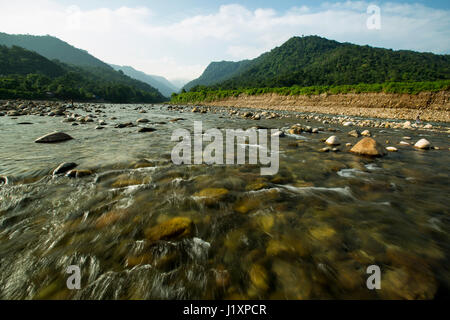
x=179, y=38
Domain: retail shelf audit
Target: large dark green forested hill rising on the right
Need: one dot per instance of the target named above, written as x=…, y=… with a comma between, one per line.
x=312, y=60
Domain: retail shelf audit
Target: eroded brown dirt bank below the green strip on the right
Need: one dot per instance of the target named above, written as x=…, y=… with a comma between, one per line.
x=430, y=106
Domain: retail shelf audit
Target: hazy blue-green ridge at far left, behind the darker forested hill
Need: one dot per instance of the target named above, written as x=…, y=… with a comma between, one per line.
x=52, y=48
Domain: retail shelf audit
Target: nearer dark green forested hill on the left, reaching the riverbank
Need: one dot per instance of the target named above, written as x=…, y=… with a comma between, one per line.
x=26, y=74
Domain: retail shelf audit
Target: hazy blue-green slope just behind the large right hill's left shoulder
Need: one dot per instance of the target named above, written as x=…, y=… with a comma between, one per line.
x=217, y=72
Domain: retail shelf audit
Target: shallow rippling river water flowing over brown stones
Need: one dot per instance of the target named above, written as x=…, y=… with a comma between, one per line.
x=308, y=232
